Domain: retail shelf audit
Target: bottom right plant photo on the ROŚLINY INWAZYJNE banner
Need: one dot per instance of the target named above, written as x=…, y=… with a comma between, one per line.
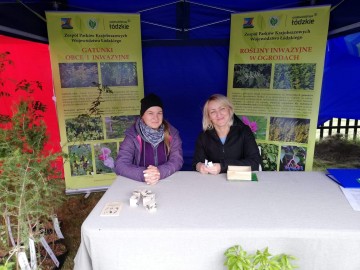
x=292, y=158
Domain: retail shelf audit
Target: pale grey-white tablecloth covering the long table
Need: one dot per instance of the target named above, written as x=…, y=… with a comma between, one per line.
x=199, y=216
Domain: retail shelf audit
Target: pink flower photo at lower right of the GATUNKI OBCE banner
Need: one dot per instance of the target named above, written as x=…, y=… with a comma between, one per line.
x=105, y=155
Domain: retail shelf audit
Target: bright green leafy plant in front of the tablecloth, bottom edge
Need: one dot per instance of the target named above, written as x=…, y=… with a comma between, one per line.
x=238, y=259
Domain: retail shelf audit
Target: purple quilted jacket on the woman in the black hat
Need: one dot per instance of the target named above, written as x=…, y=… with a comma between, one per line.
x=128, y=158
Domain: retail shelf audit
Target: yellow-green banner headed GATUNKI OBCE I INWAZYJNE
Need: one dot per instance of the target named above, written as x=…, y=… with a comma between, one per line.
x=96, y=61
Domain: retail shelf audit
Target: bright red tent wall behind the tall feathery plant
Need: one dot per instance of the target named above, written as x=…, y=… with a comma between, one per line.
x=30, y=61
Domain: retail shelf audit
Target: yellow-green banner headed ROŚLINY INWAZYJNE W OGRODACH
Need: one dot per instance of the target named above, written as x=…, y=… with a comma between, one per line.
x=276, y=63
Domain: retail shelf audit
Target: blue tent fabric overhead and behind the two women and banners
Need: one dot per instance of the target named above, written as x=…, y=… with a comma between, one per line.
x=186, y=47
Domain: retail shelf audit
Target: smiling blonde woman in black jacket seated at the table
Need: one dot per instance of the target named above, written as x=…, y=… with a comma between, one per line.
x=225, y=139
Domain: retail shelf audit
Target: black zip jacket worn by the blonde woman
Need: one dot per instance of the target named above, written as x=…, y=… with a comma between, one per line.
x=240, y=148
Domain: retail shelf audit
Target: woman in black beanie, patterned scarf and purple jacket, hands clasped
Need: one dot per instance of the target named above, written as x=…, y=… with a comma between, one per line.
x=152, y=148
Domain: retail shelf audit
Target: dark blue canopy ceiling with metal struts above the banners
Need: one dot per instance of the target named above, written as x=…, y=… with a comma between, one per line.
x=167, y=20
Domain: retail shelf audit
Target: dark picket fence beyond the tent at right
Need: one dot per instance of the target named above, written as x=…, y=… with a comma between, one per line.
x=350, y=128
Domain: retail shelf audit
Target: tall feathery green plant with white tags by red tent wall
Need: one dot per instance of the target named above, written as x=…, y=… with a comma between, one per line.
x=30, y=184
